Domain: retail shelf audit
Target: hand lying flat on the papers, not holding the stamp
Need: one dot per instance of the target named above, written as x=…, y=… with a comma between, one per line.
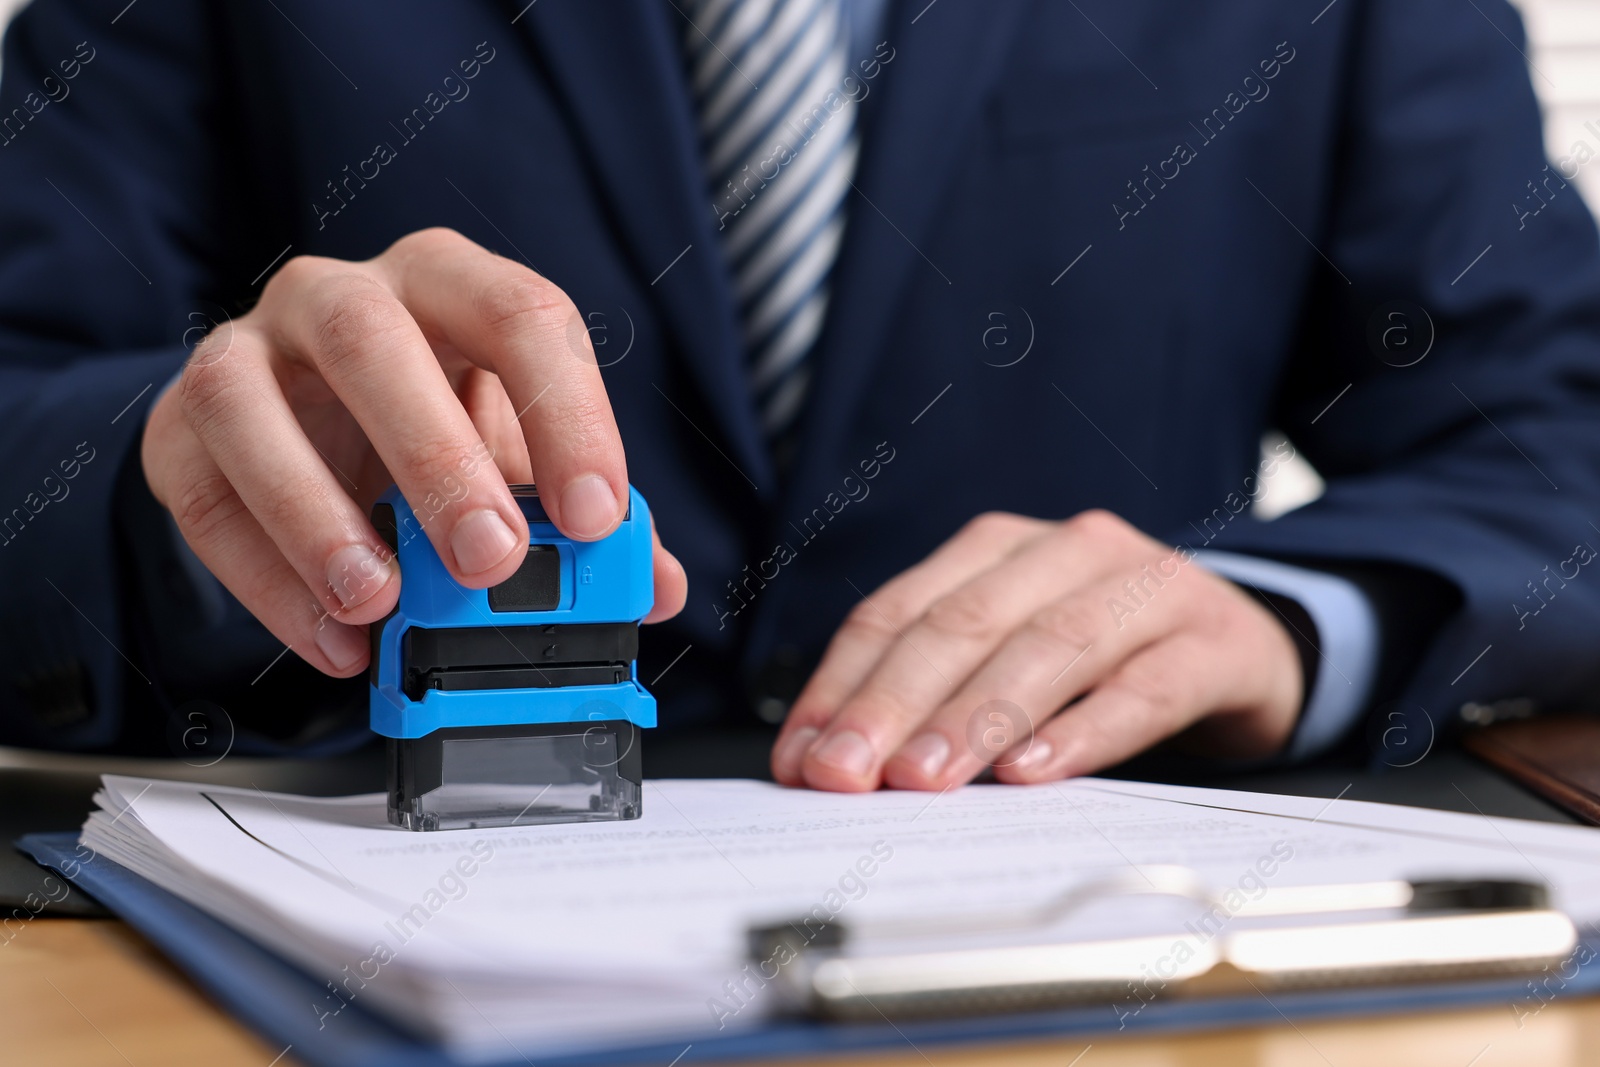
x=1098, y=639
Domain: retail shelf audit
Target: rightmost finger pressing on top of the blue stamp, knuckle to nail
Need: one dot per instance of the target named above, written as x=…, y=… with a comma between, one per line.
x=510, y=321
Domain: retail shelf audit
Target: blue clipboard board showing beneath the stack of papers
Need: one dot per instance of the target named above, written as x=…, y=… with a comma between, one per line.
x=281, y=1002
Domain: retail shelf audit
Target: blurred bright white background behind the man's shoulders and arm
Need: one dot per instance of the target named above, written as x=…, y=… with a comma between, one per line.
x=1566, y=60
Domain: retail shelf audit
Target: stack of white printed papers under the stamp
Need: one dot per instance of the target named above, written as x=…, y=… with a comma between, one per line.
x=567, y=938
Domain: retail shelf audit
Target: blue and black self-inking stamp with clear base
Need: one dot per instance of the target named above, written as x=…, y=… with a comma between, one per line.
x=521, y=703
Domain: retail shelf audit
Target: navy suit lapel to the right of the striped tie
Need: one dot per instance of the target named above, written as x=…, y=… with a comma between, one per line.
x=946, y=57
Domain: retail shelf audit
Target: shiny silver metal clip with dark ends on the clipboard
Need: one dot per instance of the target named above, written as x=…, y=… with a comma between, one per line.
x=1446, y=930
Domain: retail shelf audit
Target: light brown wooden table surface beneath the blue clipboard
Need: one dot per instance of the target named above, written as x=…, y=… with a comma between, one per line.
x=95, y=994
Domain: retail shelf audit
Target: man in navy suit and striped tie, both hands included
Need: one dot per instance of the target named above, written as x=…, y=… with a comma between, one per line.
x=942, y=338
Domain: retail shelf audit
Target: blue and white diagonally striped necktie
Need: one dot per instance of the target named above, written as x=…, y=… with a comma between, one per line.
x=778, y=137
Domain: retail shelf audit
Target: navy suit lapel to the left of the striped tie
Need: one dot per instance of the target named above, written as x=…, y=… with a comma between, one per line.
x=618, y=70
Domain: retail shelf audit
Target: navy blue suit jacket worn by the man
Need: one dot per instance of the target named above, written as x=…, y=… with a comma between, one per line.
x=1094, y=254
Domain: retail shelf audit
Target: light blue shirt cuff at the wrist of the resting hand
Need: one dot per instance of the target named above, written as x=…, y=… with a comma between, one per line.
x=1346, y=642
